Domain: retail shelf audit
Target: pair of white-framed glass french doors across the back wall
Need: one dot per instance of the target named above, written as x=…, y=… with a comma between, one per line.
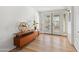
x=53, y=23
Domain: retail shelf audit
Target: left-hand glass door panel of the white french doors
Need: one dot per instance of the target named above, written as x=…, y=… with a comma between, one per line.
x=45, y=22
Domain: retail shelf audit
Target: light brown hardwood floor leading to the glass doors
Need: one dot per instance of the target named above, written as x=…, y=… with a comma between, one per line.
x=48, y=43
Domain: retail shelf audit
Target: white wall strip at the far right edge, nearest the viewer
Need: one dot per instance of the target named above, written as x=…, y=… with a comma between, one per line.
x=76, y=27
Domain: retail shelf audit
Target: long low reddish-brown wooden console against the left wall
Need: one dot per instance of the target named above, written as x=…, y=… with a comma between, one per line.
x=22, y=39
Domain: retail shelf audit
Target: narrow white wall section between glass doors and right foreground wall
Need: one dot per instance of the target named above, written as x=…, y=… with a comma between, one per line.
x=69, y=22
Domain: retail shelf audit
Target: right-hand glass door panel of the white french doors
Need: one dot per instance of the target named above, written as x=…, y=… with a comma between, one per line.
x=56, y=24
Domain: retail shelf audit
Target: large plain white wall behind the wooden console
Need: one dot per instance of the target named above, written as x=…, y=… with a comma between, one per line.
x=9, y=17
